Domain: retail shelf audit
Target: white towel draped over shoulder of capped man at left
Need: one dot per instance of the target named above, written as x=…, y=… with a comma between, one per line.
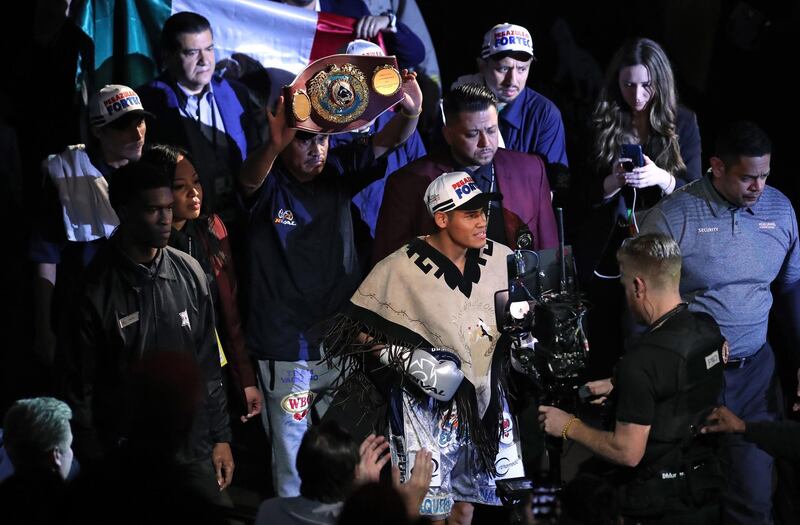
x=83, y=192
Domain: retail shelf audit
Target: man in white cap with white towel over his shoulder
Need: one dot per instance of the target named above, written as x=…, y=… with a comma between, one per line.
x=75, y=215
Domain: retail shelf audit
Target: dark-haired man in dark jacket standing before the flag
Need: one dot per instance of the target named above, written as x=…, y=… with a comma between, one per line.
x=209, y=116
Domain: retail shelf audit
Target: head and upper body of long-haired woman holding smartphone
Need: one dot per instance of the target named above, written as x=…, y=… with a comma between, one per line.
x=638, y=105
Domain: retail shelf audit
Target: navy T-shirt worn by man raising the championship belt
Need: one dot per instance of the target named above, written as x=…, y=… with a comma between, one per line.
x=303, y=265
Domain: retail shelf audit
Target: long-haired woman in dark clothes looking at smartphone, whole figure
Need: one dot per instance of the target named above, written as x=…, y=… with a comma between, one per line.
x=637, y=108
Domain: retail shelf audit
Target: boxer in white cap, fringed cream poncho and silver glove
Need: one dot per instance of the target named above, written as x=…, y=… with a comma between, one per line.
x=424, y=318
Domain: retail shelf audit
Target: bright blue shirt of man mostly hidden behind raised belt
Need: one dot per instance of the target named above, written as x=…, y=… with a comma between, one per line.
x=368, y=201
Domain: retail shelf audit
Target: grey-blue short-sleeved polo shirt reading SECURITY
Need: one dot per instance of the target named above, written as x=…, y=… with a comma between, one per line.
x=731, y=256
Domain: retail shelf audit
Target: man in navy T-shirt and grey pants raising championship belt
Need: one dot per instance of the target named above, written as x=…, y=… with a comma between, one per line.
x=302, y=262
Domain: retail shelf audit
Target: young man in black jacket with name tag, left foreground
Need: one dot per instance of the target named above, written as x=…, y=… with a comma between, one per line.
x=141, y=298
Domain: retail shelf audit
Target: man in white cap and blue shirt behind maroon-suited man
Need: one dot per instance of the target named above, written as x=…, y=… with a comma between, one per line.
x=529, y=122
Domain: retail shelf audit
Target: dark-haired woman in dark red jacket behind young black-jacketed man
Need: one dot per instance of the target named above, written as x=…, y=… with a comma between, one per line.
x=205, y=238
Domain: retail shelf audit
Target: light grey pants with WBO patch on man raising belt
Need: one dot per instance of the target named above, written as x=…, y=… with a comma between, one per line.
x=289, y=389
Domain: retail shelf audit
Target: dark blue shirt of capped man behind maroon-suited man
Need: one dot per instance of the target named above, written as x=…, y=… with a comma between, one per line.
x=532, y=124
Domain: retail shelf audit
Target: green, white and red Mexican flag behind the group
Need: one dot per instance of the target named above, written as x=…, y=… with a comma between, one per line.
x=126, y=35
